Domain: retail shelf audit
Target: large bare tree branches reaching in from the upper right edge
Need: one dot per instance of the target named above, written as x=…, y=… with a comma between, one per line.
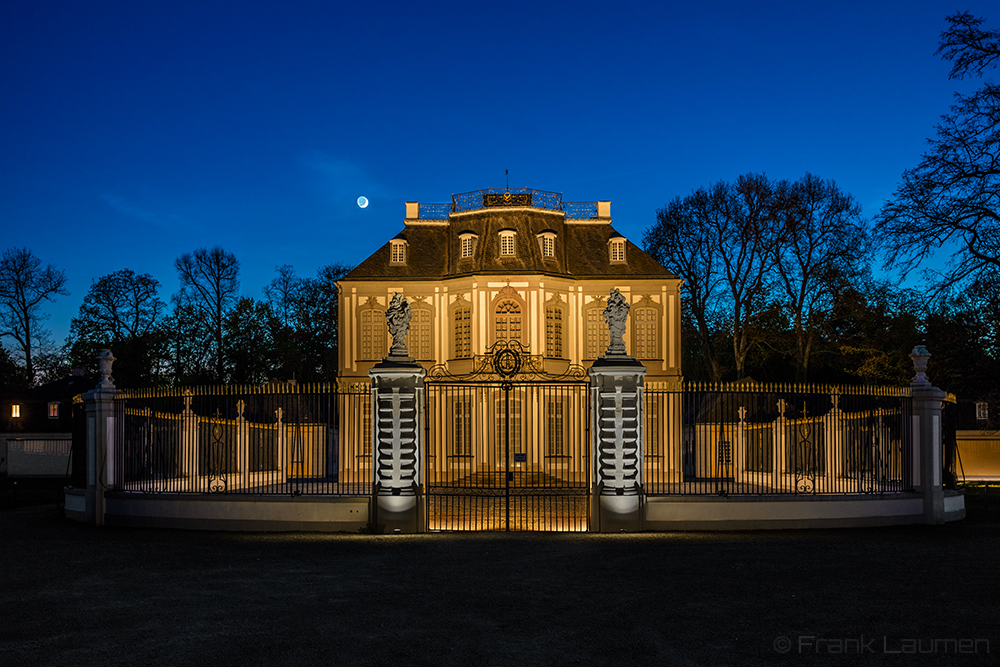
x=951, y=201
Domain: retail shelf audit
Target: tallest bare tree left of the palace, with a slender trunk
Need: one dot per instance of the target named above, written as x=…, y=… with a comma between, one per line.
x=210, y=283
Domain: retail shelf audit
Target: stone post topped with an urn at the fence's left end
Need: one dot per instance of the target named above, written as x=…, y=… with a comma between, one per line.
x=100, y=439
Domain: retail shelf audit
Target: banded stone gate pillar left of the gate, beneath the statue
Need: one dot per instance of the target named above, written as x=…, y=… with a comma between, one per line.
x=397, y=445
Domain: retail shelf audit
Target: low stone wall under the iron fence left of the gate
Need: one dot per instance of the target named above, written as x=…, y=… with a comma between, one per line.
x=226, y=512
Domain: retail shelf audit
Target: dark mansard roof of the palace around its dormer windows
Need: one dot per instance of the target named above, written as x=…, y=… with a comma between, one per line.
x=581, y=247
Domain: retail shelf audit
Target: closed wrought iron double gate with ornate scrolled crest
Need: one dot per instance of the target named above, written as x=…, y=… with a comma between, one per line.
x=507, y=445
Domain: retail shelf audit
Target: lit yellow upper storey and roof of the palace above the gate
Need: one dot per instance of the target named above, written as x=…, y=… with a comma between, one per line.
x=510, y=264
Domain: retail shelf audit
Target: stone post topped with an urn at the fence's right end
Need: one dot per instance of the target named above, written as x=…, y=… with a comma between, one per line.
x=927, y=440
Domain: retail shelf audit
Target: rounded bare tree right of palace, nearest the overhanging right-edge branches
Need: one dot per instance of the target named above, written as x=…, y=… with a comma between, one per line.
x=824, y=245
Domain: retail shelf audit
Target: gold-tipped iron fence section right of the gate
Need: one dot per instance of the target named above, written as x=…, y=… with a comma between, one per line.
x=776, y=439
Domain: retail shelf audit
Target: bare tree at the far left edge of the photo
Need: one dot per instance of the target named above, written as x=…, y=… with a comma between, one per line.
x=24, y=286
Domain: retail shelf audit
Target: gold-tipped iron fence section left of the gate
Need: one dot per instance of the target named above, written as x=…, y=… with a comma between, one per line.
x=292, y=439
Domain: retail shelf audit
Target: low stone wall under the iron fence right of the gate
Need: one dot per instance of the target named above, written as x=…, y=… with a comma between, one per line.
x=779, y=512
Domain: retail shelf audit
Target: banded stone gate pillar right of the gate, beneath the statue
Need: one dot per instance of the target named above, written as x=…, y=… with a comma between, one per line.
x=616, y=386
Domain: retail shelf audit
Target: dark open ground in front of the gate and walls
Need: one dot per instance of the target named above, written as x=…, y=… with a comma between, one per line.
x=76, y=595
